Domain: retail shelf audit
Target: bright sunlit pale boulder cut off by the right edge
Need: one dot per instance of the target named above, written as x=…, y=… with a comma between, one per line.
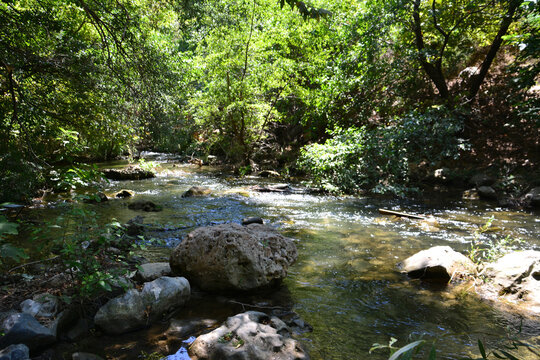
x=516, y=278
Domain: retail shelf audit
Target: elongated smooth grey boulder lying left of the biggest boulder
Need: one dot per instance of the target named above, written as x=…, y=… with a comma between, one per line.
x=135, y=309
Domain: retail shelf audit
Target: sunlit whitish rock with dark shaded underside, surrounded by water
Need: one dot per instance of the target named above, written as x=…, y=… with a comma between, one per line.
x=439, y=264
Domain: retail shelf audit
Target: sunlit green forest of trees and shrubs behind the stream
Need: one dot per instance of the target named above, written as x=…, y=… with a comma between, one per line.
x=358, y=95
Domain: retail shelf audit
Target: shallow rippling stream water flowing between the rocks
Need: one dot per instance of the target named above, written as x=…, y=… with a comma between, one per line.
x=345, y=282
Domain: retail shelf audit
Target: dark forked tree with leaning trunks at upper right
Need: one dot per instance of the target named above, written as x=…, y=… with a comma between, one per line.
x=440, y=27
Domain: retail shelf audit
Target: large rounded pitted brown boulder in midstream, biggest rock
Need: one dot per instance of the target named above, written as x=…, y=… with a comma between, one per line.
x=233, y=257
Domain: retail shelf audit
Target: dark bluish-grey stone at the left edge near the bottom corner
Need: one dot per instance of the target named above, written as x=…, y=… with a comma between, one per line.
x=24, y=329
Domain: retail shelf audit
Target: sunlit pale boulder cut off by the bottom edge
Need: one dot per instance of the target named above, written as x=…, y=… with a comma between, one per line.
x=249, y=336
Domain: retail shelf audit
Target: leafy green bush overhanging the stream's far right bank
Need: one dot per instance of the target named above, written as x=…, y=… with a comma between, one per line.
x=379, y=160
